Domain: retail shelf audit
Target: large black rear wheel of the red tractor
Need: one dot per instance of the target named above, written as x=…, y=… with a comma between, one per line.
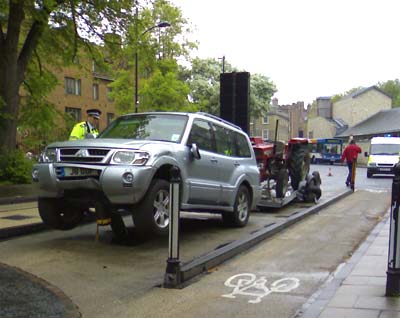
x=299, y=164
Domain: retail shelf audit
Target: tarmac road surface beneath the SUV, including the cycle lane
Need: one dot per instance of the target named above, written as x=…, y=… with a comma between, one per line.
x=103, y=279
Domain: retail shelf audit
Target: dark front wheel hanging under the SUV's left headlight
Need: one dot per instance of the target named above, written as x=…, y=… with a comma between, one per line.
x=58, y=215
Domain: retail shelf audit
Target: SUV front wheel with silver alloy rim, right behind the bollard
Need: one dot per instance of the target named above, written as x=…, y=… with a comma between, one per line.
x=151, y=215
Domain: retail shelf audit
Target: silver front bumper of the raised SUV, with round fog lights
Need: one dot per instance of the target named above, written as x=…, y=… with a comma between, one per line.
x=110, y=181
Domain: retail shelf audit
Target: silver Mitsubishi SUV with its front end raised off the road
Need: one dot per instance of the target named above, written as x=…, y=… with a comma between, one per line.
x=128, y=168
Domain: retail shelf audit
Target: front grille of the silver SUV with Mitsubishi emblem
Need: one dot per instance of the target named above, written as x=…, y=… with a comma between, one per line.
x=90, y=155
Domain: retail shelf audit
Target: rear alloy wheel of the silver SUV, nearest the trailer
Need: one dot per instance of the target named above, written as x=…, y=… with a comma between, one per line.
x=241, y=210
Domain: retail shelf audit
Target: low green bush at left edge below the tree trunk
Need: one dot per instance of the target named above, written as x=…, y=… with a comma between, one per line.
x=14, y=167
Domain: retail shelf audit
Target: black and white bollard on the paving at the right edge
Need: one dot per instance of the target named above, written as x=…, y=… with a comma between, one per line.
x=393, y=272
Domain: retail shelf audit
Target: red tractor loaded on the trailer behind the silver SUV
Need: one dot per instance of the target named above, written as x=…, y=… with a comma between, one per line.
x=284, y=172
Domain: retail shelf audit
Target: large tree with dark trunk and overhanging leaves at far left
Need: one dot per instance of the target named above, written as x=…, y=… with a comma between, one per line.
x=29, y=28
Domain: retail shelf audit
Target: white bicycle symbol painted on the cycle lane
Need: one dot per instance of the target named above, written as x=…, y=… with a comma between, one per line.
x=247, y=284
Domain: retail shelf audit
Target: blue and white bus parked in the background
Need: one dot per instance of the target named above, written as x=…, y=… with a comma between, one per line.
x=326, y=150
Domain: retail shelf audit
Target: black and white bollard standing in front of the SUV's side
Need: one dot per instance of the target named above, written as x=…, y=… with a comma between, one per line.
x=172, y=273
